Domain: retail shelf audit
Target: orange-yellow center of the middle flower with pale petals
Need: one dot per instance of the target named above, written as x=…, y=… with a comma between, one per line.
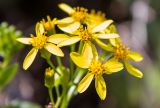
x=85, y=34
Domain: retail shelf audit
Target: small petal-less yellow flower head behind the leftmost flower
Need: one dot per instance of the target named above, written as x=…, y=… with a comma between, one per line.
x=49, y=24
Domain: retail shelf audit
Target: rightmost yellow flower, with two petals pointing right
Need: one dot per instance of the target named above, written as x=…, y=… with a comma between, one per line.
x=123, y=53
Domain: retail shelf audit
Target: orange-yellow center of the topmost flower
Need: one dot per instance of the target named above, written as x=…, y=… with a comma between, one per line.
x=79, y=14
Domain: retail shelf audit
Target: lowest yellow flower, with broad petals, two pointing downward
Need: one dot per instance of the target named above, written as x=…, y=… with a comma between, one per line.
x=95, y=70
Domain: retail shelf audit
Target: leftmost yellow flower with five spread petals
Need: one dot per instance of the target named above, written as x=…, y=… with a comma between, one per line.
x=41, y=41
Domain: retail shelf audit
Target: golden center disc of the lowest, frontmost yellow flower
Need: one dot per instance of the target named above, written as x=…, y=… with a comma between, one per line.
x=96, y=68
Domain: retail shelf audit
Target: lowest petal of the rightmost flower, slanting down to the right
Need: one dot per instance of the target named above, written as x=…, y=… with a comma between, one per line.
x=132, y=70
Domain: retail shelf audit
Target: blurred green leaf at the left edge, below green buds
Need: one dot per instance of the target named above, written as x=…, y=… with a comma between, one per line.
x=7, y=74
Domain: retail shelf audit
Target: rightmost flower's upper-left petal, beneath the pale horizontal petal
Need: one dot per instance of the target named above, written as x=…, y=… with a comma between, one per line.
x=104, y=46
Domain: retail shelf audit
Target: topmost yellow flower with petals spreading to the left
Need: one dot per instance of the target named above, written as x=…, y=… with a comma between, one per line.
x=77, y=16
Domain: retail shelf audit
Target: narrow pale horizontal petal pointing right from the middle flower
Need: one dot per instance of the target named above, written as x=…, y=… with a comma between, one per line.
x=107, y=36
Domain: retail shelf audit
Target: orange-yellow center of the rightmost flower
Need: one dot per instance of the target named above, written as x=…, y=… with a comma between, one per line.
x=121, y=52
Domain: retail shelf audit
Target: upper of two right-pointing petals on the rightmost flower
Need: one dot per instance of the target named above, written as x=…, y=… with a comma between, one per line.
x=135, y=56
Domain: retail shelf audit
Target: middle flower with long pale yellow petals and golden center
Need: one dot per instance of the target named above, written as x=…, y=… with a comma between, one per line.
x=88, y=35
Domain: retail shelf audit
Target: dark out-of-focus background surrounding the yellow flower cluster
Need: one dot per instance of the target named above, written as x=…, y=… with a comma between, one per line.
x=138, y=22
